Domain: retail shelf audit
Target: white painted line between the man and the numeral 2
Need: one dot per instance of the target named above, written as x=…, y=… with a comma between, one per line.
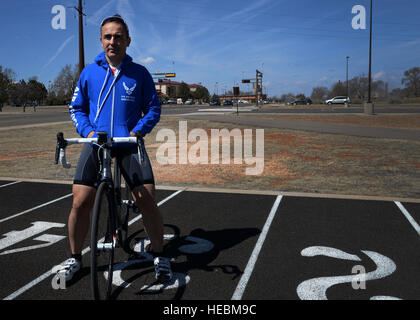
x=240, y=288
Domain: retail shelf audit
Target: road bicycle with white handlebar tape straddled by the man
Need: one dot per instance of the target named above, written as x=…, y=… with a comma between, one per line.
x=109, y=227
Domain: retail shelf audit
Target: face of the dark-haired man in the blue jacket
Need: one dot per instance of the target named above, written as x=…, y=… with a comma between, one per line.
x=114, y=41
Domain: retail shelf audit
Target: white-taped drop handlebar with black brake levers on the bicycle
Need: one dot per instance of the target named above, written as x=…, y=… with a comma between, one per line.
x=102, y=140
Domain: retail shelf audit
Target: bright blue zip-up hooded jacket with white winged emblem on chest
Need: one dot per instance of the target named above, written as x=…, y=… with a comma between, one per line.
x=117, y=105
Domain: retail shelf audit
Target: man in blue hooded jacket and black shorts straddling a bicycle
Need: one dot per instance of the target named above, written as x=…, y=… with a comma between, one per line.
x=118, y=96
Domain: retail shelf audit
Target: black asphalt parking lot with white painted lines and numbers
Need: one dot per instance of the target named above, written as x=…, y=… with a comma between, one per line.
x=224, y=246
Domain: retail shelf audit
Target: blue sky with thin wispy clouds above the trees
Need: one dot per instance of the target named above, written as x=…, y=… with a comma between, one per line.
x=297, y=44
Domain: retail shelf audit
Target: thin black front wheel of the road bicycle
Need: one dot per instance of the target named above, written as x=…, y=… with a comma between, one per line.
x=102, y=243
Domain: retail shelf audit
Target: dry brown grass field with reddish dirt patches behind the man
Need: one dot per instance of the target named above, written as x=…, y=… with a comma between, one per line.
x=294, y=161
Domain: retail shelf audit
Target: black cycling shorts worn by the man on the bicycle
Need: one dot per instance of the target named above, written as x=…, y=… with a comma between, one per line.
x=128, y=160
